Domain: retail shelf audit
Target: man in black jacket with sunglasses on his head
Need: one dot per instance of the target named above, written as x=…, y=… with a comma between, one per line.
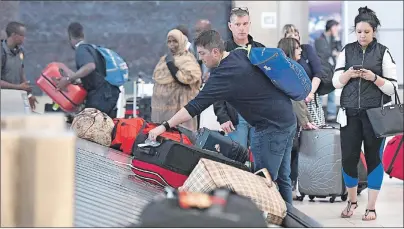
x=230, y=121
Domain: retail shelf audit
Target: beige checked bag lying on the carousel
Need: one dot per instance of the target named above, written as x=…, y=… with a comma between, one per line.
x=209, y=175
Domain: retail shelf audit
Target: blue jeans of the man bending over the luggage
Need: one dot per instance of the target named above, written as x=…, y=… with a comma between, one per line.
x=271, y=149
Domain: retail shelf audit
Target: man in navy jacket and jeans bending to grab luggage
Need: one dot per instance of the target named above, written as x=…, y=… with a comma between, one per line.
x=235, y=80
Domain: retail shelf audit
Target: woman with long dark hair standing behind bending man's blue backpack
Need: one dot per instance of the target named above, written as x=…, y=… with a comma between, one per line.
x=292, y=48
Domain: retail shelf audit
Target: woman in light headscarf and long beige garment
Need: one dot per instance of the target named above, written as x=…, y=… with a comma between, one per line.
x=177, y=79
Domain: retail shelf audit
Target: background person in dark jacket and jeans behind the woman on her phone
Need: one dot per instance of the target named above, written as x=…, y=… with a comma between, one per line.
x=328, y=46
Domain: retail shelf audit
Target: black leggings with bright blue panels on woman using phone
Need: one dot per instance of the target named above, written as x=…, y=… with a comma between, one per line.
x=358, y=130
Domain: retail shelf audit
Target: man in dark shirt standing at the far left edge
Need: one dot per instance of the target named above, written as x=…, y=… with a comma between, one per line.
x=12, y=61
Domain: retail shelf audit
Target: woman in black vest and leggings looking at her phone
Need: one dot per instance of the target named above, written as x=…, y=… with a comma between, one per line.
x=363, y=89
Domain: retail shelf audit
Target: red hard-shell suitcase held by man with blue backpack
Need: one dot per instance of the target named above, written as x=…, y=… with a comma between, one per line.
x=68, y=99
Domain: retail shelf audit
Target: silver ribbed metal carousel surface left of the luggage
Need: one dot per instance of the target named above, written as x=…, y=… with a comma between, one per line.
x=106, y=193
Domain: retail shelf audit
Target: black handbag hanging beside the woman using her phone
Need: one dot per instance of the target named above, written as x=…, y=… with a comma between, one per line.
x=387, y=120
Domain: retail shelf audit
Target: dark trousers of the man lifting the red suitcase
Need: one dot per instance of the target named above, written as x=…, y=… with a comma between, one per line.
x=104, y=99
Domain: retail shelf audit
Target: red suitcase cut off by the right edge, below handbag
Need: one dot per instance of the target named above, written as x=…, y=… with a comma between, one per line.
x=393, y=158
